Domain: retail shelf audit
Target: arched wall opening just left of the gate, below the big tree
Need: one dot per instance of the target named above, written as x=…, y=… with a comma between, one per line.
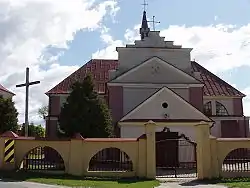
x=111, y=159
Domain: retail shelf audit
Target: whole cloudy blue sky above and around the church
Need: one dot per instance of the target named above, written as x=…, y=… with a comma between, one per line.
x=55, y=38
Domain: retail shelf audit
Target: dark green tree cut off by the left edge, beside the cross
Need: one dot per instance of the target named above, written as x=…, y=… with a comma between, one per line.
x=8, y=115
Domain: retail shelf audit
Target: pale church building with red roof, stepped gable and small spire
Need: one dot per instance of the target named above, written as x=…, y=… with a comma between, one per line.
x=154, y=79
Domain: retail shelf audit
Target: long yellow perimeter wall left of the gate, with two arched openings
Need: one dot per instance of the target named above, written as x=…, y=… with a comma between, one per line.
x=77, y=153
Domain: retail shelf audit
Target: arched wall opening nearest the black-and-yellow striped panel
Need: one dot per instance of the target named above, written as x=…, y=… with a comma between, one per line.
x=44, y=159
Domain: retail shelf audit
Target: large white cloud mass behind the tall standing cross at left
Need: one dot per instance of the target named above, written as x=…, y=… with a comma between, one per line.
x=28, y=27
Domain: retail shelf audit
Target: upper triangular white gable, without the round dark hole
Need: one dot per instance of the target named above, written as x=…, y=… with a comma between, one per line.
x=155, y=70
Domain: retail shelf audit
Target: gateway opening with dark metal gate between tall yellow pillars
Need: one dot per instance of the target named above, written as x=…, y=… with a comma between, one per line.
x=175, y=155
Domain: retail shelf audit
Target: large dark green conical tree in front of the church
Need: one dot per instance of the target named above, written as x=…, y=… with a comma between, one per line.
x=85, y=113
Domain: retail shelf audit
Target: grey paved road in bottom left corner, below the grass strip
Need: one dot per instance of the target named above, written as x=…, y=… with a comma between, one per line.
x=9, y=184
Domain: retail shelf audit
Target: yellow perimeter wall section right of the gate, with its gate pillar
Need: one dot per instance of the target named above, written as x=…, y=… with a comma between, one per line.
x=212, y=151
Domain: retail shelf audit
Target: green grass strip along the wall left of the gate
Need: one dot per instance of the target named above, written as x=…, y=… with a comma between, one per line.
x=73, y=181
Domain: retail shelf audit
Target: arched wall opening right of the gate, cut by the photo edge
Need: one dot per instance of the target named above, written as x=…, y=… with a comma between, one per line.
x=237, y=161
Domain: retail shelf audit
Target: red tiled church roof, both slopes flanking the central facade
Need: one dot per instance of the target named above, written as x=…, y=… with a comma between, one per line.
x=214, y=86
